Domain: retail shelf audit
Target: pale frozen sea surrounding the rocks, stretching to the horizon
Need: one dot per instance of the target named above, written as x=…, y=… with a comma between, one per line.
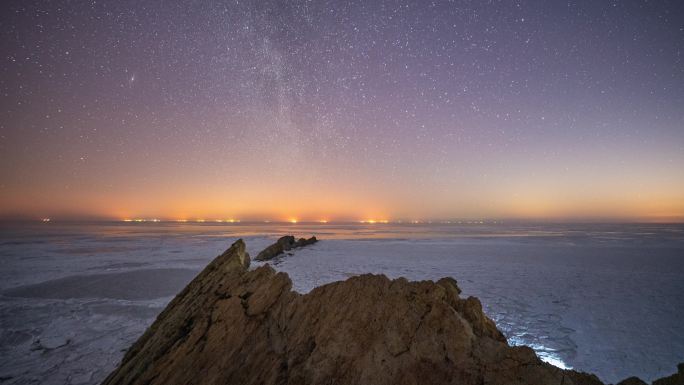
x=601, y=298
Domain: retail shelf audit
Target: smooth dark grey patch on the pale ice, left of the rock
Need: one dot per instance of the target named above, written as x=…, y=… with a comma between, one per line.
x=130, y=285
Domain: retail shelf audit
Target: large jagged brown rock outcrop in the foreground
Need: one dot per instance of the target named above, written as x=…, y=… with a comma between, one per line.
x=234, y=326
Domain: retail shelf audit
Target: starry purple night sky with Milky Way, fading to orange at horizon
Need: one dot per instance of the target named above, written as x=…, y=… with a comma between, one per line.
x=342, y=110
